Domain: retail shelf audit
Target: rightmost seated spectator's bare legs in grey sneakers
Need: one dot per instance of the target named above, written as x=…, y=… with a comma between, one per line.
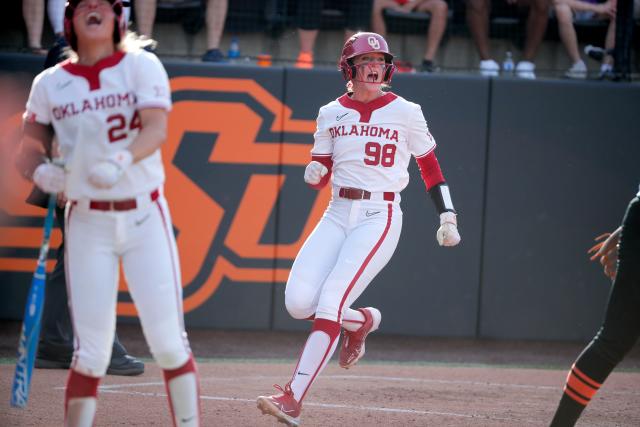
x=569, y=10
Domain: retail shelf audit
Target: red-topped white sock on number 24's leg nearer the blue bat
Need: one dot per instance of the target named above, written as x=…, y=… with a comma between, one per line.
x=80, y=400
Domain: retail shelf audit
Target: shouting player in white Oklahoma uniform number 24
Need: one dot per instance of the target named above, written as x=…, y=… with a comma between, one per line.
x=108, y=110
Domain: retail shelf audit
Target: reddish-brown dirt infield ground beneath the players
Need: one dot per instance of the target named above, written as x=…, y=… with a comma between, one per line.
x=403, y=382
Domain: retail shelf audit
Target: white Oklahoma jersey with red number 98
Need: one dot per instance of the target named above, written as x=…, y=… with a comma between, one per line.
x=371, y=144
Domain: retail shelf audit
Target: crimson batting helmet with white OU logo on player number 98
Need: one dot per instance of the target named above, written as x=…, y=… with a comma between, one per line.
x=359, y=44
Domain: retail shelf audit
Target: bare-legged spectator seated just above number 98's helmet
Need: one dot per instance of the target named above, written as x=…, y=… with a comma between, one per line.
x=438, y=23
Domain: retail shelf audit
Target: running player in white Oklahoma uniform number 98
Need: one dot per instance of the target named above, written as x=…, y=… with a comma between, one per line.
x=365, y=139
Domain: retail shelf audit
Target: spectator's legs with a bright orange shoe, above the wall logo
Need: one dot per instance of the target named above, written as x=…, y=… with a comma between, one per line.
x=309, y=14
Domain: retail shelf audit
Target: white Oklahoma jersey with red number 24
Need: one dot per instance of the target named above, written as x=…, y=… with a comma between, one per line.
x=94, y=113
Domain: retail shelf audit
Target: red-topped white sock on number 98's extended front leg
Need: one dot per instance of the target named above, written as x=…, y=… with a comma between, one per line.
x=316, y=353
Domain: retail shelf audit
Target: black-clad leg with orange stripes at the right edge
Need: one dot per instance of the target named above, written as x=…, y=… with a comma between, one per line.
x=619, y=331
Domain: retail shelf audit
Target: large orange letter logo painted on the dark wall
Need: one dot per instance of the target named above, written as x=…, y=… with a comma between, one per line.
x=228, y=174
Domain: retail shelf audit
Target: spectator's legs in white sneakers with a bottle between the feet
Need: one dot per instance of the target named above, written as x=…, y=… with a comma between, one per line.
x=478, y=21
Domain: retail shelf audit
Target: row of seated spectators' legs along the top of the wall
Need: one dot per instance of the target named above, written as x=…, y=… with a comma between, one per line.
x=370, y=15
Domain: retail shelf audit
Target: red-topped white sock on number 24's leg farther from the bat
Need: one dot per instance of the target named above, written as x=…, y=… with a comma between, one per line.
x=183, y=390
